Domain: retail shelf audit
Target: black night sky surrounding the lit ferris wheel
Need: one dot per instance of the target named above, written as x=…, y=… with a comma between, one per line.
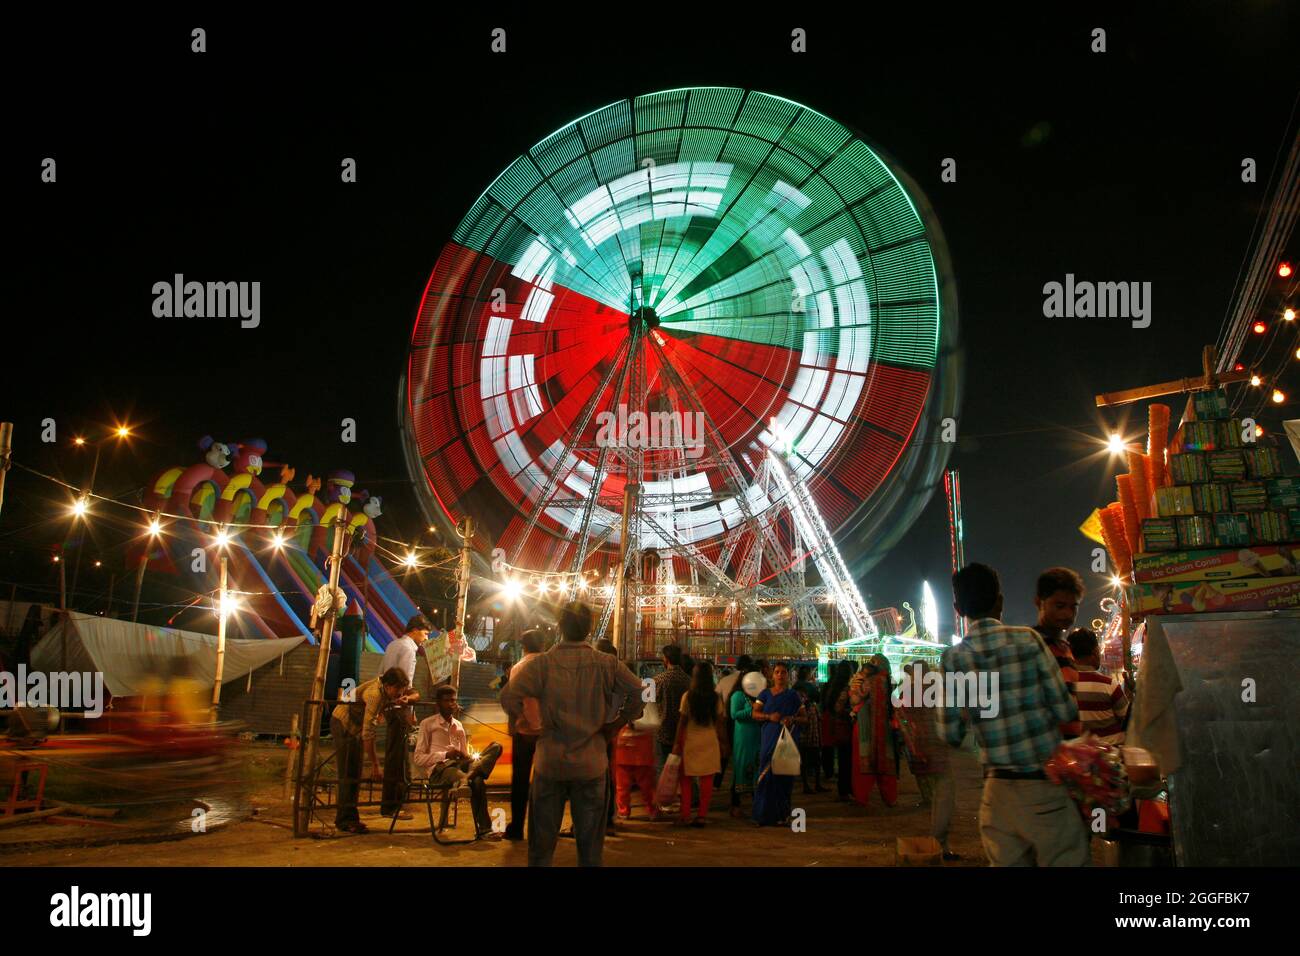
x=1115, y=167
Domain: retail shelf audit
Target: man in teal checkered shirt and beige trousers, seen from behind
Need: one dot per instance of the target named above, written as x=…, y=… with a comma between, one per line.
x=1025, y=820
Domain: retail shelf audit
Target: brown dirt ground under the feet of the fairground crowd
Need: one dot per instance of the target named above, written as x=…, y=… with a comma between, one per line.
x=837, y=836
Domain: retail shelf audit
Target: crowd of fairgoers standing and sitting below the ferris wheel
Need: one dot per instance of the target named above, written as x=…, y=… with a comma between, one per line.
x=587, y=732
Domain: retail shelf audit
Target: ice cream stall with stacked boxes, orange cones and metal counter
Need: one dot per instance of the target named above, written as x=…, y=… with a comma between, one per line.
x=1206, y=537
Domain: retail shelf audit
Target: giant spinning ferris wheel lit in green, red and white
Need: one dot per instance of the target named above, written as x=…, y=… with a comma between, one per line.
x=694, y=339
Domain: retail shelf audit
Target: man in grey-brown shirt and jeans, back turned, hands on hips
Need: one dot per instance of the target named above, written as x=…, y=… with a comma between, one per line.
x=575, y=685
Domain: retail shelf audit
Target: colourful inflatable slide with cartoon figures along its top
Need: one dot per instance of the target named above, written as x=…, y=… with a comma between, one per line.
x=279, y=542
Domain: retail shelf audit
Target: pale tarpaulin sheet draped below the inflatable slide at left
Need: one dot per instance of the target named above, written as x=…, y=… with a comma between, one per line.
x=132, y=657
